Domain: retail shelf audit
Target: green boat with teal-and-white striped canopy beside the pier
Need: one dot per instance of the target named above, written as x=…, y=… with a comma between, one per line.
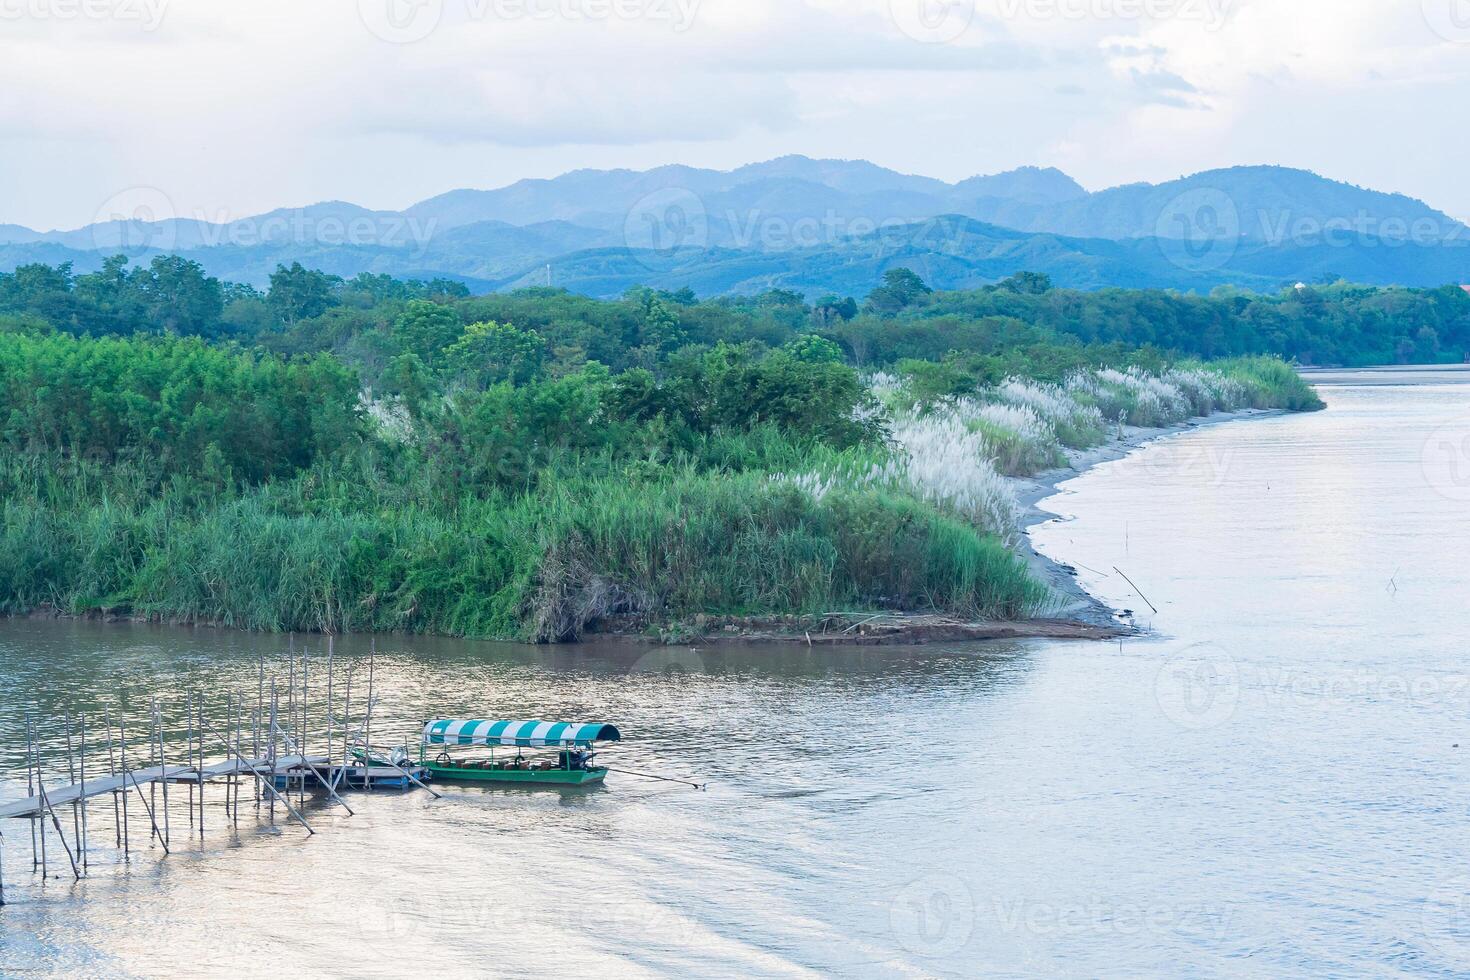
x=561, y=753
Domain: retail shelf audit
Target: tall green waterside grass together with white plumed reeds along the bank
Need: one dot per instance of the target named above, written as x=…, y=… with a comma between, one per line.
x=921, y=524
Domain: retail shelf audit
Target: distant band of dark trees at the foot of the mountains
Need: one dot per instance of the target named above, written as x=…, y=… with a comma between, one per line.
x=309, y=312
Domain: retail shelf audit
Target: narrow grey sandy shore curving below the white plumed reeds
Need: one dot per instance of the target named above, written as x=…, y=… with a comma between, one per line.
x=1075, y=603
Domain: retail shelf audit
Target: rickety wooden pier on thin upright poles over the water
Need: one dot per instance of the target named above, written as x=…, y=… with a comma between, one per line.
x=267, y=747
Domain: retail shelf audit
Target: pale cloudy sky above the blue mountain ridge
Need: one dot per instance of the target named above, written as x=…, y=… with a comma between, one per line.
x=223, y=109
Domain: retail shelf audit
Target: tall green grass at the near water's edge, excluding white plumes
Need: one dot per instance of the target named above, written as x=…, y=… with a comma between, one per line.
x=540, y=566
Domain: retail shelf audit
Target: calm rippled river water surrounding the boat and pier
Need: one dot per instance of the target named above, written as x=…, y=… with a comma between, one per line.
x=1271, y=784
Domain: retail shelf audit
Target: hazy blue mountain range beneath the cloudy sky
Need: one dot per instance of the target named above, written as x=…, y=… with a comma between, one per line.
x=815, y=227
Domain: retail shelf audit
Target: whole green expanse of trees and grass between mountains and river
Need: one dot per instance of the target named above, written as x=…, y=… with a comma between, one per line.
x=402, y=456
